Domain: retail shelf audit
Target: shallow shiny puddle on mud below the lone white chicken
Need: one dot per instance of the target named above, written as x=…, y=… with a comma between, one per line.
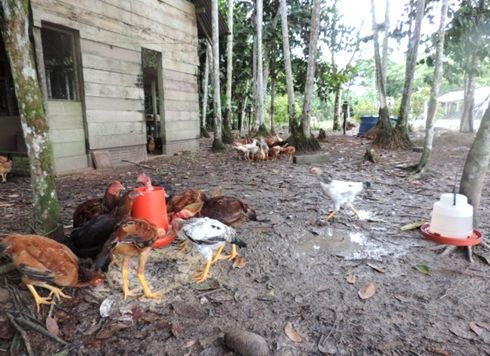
x=347, y=244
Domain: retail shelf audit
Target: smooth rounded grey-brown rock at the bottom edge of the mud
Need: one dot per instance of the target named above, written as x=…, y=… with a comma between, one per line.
x=246, y=343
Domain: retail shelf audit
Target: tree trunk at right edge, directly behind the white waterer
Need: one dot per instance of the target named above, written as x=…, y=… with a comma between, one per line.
x=476, y=165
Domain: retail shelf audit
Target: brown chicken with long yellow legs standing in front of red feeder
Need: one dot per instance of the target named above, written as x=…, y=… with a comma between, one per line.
x=134, y=237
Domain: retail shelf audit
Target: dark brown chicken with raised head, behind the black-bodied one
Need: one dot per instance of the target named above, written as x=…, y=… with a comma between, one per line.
x=94, y=207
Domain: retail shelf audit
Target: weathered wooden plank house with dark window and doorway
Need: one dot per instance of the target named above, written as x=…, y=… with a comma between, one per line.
x=113, y=73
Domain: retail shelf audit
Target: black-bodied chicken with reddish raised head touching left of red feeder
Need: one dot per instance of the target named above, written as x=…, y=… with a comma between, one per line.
x=89, y=238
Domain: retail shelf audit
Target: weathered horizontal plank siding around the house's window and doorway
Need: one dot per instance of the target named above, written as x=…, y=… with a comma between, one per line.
x=112, y=34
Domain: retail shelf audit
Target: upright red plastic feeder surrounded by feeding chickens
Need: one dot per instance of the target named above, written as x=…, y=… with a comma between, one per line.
x=151, y=206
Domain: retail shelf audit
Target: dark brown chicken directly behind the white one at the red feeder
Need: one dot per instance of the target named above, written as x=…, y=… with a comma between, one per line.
x=230, y=211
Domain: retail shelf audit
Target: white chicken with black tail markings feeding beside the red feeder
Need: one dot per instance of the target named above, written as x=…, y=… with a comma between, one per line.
x=209, y=236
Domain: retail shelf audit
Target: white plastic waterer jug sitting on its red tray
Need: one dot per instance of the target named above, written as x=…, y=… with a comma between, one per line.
x=452, y=216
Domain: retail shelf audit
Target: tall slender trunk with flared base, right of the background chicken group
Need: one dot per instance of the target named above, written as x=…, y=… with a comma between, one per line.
x=310, y=71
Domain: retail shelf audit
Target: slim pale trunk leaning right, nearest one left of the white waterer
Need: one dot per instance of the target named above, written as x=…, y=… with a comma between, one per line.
x=434, y=92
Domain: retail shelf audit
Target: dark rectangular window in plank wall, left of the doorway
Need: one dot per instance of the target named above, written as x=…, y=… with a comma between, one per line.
x=60, y=63
